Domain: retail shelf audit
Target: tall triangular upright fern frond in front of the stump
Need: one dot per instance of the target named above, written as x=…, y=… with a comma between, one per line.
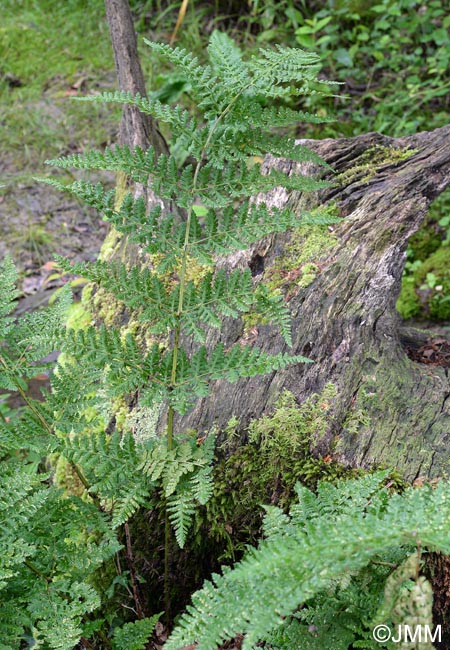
x=213, y=214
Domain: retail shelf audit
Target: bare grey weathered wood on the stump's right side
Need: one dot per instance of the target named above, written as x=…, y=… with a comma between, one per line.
x=388, y=410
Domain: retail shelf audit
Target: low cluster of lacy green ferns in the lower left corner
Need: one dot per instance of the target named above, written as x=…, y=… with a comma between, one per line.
x=52, y=546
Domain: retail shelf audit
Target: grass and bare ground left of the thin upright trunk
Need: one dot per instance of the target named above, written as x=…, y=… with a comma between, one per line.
x=44, y=65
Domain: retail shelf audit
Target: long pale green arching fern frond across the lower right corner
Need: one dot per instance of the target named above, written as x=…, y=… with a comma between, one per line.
x=251, y=601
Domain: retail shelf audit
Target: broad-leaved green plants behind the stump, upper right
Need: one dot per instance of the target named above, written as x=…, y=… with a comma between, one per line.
x=388, y=38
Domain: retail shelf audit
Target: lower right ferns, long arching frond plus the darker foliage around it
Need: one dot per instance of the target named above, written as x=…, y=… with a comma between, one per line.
x=321, y=576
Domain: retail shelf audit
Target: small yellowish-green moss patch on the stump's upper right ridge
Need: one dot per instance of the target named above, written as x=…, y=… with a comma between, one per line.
x=370, y=161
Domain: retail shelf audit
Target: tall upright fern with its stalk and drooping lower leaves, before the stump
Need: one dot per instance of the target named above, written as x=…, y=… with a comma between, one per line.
x=224, y=145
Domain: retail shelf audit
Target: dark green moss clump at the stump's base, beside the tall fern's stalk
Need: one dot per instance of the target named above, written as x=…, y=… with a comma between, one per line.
x=265, y=471
